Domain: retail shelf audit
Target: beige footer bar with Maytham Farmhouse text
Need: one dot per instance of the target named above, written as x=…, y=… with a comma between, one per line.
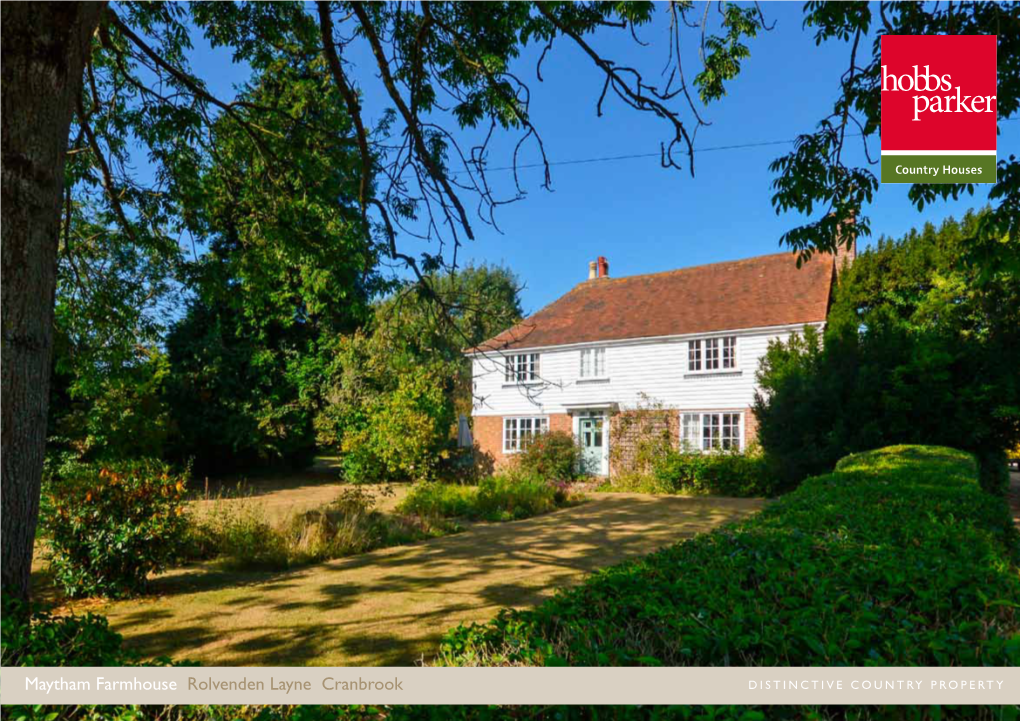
x=511, y=686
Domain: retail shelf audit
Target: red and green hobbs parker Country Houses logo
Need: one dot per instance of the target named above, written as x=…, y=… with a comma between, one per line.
x=939, y=109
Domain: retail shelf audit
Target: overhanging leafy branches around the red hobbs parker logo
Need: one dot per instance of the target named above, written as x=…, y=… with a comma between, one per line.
x=814, y=177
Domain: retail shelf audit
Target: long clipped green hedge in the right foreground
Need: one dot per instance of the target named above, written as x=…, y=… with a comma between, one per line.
x=896, y=558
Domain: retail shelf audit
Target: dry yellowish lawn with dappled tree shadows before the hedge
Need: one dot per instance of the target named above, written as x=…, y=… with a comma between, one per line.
x=391, y=607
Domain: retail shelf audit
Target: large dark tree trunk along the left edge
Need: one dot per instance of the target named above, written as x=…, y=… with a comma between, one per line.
x=45, y=45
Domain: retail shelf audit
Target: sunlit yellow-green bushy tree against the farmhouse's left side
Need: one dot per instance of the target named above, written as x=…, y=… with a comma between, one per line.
x=391, y=392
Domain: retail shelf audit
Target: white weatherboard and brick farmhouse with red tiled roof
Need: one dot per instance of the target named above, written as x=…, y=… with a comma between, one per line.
x=685, y=341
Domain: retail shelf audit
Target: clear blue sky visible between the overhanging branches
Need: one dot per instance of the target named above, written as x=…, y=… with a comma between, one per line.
x=642, y=218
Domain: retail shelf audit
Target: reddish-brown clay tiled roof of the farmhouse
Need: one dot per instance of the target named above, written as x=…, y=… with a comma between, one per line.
x=770, y=290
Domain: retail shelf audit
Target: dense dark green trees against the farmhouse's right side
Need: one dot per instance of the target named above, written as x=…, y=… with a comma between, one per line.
x=917, y=350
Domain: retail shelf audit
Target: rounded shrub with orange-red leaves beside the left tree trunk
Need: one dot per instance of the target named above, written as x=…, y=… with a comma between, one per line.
x=112, y=527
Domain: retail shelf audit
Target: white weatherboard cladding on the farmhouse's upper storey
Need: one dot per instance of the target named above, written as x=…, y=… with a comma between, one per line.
x=637, y=373
